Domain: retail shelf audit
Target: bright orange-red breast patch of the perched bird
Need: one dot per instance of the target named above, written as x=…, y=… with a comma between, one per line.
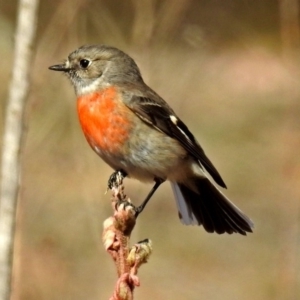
x=104, y=120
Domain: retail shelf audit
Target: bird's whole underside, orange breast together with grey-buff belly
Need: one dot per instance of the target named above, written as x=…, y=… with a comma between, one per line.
x=126, y=142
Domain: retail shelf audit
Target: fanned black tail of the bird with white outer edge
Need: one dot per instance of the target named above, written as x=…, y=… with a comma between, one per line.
x=209, y=207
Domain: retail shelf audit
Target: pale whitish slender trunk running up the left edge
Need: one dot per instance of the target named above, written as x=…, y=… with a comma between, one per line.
x=12, y=139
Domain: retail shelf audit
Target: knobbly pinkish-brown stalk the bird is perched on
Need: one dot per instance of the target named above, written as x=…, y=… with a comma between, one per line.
x=116, y=239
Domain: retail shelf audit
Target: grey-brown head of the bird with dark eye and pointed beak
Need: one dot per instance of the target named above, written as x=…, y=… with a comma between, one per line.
x=94, y=67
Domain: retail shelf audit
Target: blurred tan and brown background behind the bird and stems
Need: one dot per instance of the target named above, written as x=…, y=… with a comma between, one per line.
x=230, y=69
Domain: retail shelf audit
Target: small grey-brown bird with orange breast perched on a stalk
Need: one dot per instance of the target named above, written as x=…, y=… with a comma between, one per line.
x=140, y=136
